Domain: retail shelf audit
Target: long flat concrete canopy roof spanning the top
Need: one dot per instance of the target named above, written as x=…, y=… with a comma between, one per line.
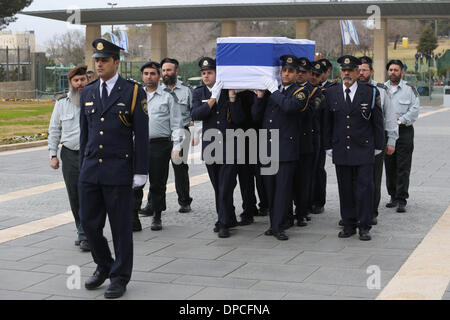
x=253, y=11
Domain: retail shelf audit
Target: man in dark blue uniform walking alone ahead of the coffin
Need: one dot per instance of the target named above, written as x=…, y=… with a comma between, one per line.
x=113, y=159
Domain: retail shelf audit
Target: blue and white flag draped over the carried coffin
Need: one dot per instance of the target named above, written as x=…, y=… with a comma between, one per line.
x=242, y=62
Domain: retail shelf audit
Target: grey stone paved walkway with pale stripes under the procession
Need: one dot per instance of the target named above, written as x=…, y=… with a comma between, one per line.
x=186, y=260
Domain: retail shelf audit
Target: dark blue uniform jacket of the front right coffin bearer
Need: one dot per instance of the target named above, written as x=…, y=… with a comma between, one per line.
x=283, y=112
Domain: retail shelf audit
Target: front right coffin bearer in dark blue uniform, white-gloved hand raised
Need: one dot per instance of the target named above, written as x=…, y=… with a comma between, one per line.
x=282, y=110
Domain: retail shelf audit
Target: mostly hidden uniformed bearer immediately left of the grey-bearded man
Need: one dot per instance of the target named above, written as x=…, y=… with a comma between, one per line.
x=320, y=179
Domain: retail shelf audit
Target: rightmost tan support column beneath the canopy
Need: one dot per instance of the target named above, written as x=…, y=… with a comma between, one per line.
x=380, y=46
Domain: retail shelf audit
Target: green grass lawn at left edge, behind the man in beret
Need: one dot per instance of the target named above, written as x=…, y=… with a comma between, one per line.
x=24, y=118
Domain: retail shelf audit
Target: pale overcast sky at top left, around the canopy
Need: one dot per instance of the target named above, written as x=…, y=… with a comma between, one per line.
x=46, y=28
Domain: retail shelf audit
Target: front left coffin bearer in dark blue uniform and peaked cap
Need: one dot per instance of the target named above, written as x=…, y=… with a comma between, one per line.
x=219, y=110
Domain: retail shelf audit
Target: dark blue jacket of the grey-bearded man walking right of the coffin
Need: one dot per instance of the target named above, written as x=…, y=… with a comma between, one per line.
x=353, y=133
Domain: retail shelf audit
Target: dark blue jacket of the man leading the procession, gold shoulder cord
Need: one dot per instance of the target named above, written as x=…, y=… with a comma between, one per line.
x=108, y=154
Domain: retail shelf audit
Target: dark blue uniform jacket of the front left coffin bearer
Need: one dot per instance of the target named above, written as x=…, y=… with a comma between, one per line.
x=223, y=115
